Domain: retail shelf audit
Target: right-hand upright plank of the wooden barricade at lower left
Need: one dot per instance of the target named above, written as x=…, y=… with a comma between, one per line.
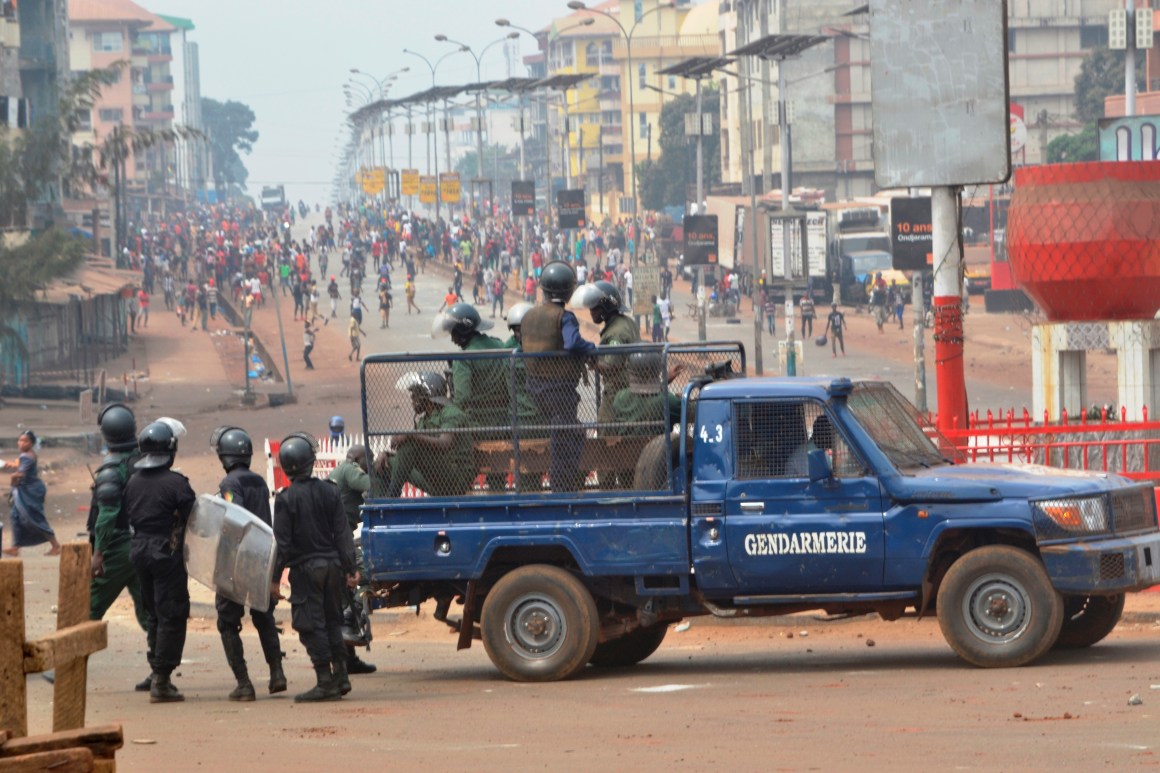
x=71, y=685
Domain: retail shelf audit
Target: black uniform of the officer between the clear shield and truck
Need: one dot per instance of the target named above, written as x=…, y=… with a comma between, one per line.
x=315, y=541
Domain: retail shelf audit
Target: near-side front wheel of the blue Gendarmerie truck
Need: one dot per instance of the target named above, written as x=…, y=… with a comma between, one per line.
x=997, y=608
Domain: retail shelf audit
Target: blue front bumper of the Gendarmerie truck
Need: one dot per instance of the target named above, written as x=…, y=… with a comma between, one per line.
x=1111, y=566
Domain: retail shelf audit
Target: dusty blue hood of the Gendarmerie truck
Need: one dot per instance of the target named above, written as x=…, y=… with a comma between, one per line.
x=999, y=481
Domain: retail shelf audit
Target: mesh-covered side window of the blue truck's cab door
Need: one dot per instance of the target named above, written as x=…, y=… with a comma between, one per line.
x=775, y=438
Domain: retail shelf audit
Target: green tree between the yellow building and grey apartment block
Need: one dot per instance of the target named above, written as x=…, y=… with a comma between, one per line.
x=664, y=183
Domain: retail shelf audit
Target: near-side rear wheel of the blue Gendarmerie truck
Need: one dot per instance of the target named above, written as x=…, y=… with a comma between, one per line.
x=540, y=624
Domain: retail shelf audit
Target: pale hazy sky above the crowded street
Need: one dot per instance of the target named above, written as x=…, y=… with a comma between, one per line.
x=288, y=61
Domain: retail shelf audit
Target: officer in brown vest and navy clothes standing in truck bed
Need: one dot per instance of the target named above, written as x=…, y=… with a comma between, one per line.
x=553, y=381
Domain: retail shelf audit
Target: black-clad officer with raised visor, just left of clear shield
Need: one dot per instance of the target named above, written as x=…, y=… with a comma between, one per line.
x=158, y=503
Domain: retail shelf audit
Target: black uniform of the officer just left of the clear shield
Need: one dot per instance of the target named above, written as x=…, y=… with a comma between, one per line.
x=158, y=503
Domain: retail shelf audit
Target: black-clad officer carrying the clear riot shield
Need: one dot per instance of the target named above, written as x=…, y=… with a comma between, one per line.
x=246, y=489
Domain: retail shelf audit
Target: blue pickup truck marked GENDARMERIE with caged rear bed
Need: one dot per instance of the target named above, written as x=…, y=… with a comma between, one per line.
x=730, y=496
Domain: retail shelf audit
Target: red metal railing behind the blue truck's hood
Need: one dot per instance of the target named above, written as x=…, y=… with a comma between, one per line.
x=1107, y=444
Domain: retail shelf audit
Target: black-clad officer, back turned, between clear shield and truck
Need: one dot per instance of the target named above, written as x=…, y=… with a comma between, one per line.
x=315, y=543
